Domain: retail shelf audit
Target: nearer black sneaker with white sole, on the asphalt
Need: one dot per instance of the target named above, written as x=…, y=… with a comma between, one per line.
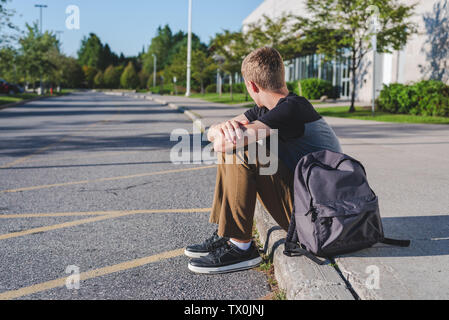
x=227, y=258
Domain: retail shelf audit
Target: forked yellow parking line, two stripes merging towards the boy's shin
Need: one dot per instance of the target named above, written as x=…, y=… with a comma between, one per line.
x=104, y=215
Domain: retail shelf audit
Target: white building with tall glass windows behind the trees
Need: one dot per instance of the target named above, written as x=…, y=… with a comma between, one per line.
x=426, y=54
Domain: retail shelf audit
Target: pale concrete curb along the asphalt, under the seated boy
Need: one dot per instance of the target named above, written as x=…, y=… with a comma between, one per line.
x=299, y=277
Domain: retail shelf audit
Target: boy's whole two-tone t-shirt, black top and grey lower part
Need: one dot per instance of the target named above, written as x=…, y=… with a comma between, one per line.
x=301, y=130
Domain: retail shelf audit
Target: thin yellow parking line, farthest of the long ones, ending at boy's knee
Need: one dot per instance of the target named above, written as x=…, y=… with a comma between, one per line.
x=147, y=174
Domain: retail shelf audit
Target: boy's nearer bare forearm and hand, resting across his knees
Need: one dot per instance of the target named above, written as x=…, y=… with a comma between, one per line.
x=250, y=133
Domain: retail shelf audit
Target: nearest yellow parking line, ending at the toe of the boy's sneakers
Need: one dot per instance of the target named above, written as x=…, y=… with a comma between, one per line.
x=91, y=274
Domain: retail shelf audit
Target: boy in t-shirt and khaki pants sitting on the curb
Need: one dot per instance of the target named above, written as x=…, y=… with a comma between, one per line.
x=300, y=130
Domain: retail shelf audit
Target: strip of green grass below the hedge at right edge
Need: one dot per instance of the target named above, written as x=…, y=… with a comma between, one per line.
x=364, y=113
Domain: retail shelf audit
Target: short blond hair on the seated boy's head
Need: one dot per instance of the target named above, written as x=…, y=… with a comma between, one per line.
x=265, y=67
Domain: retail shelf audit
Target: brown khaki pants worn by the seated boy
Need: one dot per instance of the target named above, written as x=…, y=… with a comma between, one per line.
x=236, y=189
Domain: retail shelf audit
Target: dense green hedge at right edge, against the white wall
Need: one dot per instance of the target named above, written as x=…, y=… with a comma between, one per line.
x=427, y=98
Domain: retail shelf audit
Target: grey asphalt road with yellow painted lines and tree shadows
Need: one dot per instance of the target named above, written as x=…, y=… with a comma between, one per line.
x=86, y=184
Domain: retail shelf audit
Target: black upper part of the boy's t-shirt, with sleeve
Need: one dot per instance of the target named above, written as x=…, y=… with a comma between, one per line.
x=289, y=116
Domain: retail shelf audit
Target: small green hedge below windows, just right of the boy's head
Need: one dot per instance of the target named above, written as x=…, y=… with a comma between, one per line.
x=313, y=88
